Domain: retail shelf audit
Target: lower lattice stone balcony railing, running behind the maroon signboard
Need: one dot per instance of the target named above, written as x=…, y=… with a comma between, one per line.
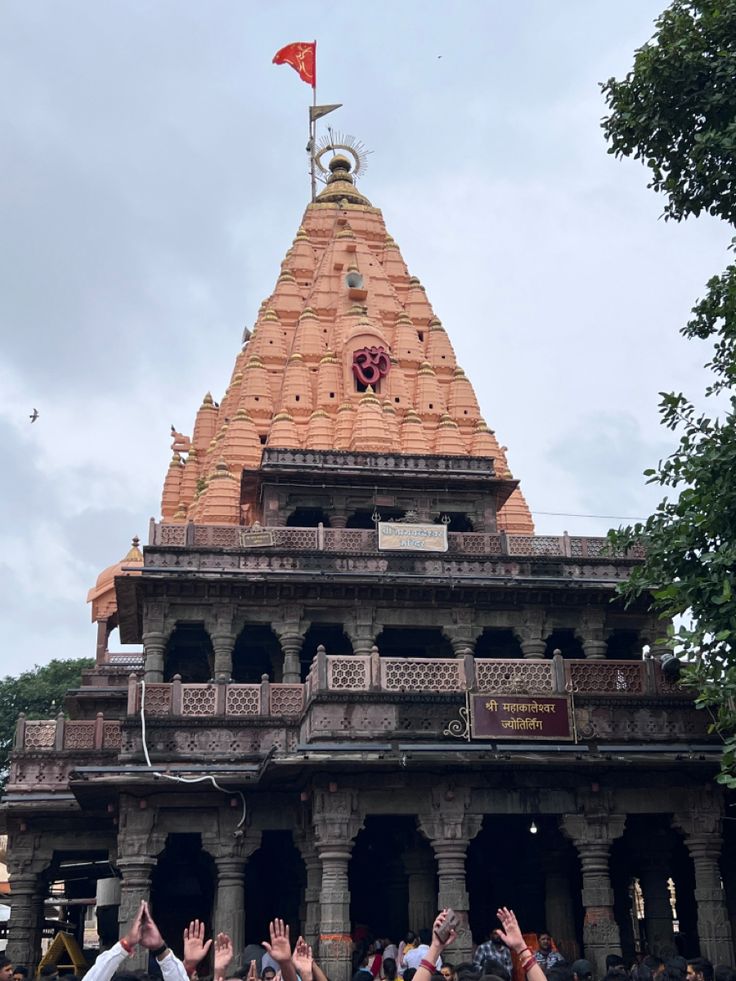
x=359, y=697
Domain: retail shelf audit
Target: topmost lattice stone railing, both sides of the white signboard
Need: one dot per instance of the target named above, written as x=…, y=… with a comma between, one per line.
x=365, y=541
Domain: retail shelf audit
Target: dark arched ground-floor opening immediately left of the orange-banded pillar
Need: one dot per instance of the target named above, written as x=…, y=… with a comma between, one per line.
x=275, y=879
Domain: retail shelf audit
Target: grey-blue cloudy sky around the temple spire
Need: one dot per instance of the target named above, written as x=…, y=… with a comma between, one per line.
x=154, y=174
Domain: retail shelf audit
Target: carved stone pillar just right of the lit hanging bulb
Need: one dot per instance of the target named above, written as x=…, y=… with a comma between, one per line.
x=592, y=835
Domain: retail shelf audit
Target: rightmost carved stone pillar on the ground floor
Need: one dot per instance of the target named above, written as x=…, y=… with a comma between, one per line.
x=701, y=826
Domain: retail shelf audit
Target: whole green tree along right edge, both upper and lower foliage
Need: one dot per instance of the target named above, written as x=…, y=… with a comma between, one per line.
x=676, y=111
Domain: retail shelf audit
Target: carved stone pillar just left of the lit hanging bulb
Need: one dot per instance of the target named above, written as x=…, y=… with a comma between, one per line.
x=449, y=829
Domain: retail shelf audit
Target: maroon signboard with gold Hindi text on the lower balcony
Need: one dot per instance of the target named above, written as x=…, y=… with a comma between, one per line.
x=520, y=717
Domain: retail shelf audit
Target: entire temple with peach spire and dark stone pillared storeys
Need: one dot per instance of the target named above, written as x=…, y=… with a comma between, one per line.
x=367, y=688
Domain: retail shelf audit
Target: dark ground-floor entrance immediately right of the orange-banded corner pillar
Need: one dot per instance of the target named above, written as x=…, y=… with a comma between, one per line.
x=392, y=878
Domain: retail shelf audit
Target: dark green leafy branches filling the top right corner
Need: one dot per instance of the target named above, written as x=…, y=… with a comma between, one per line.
x=676, y=110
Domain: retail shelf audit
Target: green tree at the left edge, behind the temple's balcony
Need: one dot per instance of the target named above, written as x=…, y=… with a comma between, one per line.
x=40, y=694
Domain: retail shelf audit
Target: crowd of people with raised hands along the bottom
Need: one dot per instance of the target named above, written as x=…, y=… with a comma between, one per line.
x=505, y=956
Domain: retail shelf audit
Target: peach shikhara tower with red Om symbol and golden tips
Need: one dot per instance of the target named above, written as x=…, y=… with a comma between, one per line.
x=346, y=355
